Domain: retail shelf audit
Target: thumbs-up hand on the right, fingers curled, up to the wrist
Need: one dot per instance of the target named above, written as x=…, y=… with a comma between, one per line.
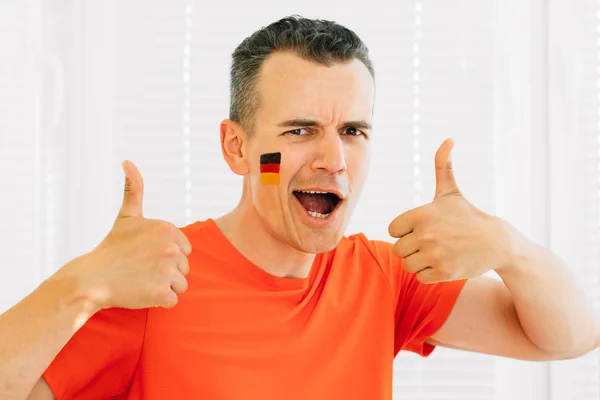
x=449, y=238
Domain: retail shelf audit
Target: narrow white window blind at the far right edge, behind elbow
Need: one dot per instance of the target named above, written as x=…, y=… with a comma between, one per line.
x=574, y=61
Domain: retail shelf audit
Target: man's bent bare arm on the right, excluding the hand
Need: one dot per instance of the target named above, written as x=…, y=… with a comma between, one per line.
x=536, y=313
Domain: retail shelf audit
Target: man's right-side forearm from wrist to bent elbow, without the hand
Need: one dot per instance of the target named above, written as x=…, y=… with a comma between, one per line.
x=553, y=311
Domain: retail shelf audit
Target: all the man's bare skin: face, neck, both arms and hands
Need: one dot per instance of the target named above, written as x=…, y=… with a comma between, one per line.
x=535, y=313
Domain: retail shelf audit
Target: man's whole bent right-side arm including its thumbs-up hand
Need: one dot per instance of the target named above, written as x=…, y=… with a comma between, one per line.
x=537, y=314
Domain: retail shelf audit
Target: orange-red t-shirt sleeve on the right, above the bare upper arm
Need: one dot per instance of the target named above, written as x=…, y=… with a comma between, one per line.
x=421, y=309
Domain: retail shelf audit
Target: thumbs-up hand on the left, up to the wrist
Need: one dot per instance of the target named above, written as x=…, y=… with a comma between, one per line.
x=141, y=263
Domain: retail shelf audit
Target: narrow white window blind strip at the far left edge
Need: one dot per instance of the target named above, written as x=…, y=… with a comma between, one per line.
x=20, y=177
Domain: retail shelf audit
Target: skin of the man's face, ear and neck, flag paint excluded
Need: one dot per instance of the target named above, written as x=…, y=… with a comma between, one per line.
x=331, y=155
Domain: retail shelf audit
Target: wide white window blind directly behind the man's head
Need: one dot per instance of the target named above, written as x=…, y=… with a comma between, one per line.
x=434, y=80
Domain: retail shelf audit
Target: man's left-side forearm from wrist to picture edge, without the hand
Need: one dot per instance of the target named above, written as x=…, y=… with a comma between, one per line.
x=33, y=332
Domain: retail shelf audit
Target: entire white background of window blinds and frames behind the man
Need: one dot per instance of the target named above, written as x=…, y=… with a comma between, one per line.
x=86, y=84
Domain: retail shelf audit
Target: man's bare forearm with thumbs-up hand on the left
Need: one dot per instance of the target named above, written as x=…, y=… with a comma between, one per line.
x=140, y=264
